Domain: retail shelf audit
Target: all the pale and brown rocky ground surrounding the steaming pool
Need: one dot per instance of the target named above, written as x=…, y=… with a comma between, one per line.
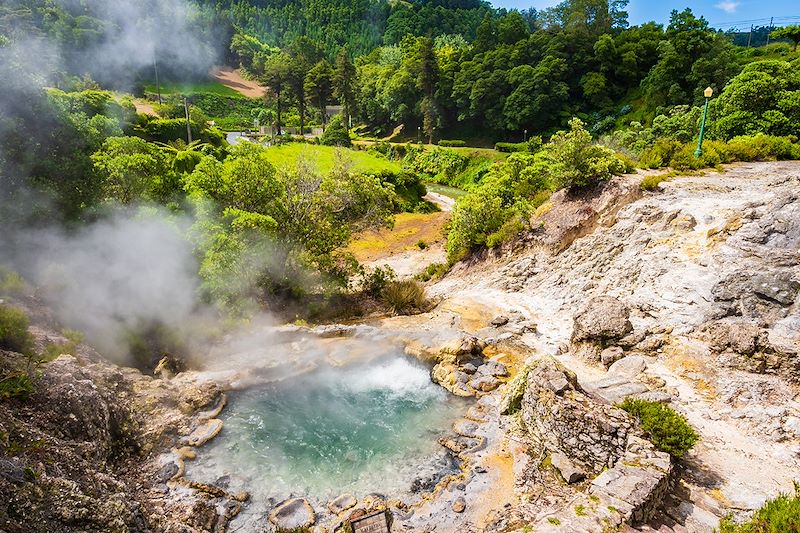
x=686, y=295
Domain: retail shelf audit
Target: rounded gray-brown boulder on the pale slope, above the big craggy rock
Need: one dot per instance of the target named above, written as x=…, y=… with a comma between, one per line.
x=603, y=318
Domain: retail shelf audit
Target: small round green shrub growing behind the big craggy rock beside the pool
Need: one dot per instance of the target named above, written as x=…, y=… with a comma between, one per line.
x=668, y=430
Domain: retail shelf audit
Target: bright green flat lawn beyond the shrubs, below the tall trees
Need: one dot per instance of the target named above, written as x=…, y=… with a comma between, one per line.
x=325, y=158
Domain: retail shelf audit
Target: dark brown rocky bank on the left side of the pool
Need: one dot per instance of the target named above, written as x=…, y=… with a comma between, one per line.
x=100, y=448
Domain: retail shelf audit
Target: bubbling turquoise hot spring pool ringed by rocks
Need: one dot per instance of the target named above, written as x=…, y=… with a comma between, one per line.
x=362, y=428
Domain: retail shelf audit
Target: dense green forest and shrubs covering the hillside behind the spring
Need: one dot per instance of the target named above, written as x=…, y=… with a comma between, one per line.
x=546, y=85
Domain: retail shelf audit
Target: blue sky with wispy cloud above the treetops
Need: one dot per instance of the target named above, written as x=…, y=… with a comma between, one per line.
x=721, y=13
